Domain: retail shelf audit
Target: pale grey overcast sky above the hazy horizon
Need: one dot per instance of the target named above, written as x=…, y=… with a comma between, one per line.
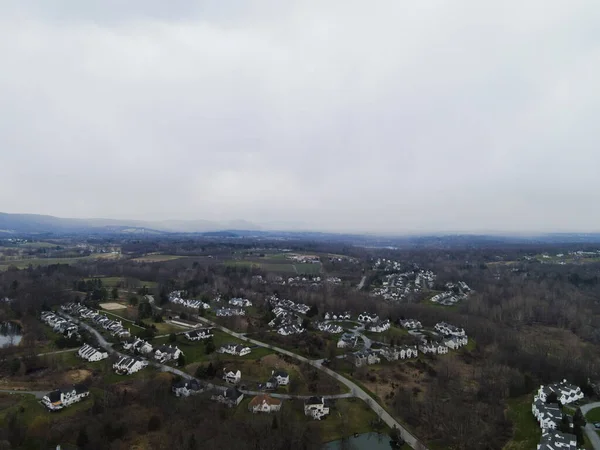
x=383, y=116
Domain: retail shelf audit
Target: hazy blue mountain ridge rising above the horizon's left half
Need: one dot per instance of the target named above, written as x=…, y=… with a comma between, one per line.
x=35, y=223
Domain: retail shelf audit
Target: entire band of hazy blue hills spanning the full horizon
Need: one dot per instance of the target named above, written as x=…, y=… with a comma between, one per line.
x=35, y=224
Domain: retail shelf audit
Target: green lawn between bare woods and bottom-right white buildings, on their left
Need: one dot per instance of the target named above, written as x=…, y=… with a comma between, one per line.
x=526, y=431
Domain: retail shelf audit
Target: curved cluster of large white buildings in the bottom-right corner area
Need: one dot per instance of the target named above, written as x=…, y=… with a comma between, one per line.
x=549, y=414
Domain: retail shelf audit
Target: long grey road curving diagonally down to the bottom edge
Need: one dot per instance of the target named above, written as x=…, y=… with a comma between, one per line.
x=354, y=388
